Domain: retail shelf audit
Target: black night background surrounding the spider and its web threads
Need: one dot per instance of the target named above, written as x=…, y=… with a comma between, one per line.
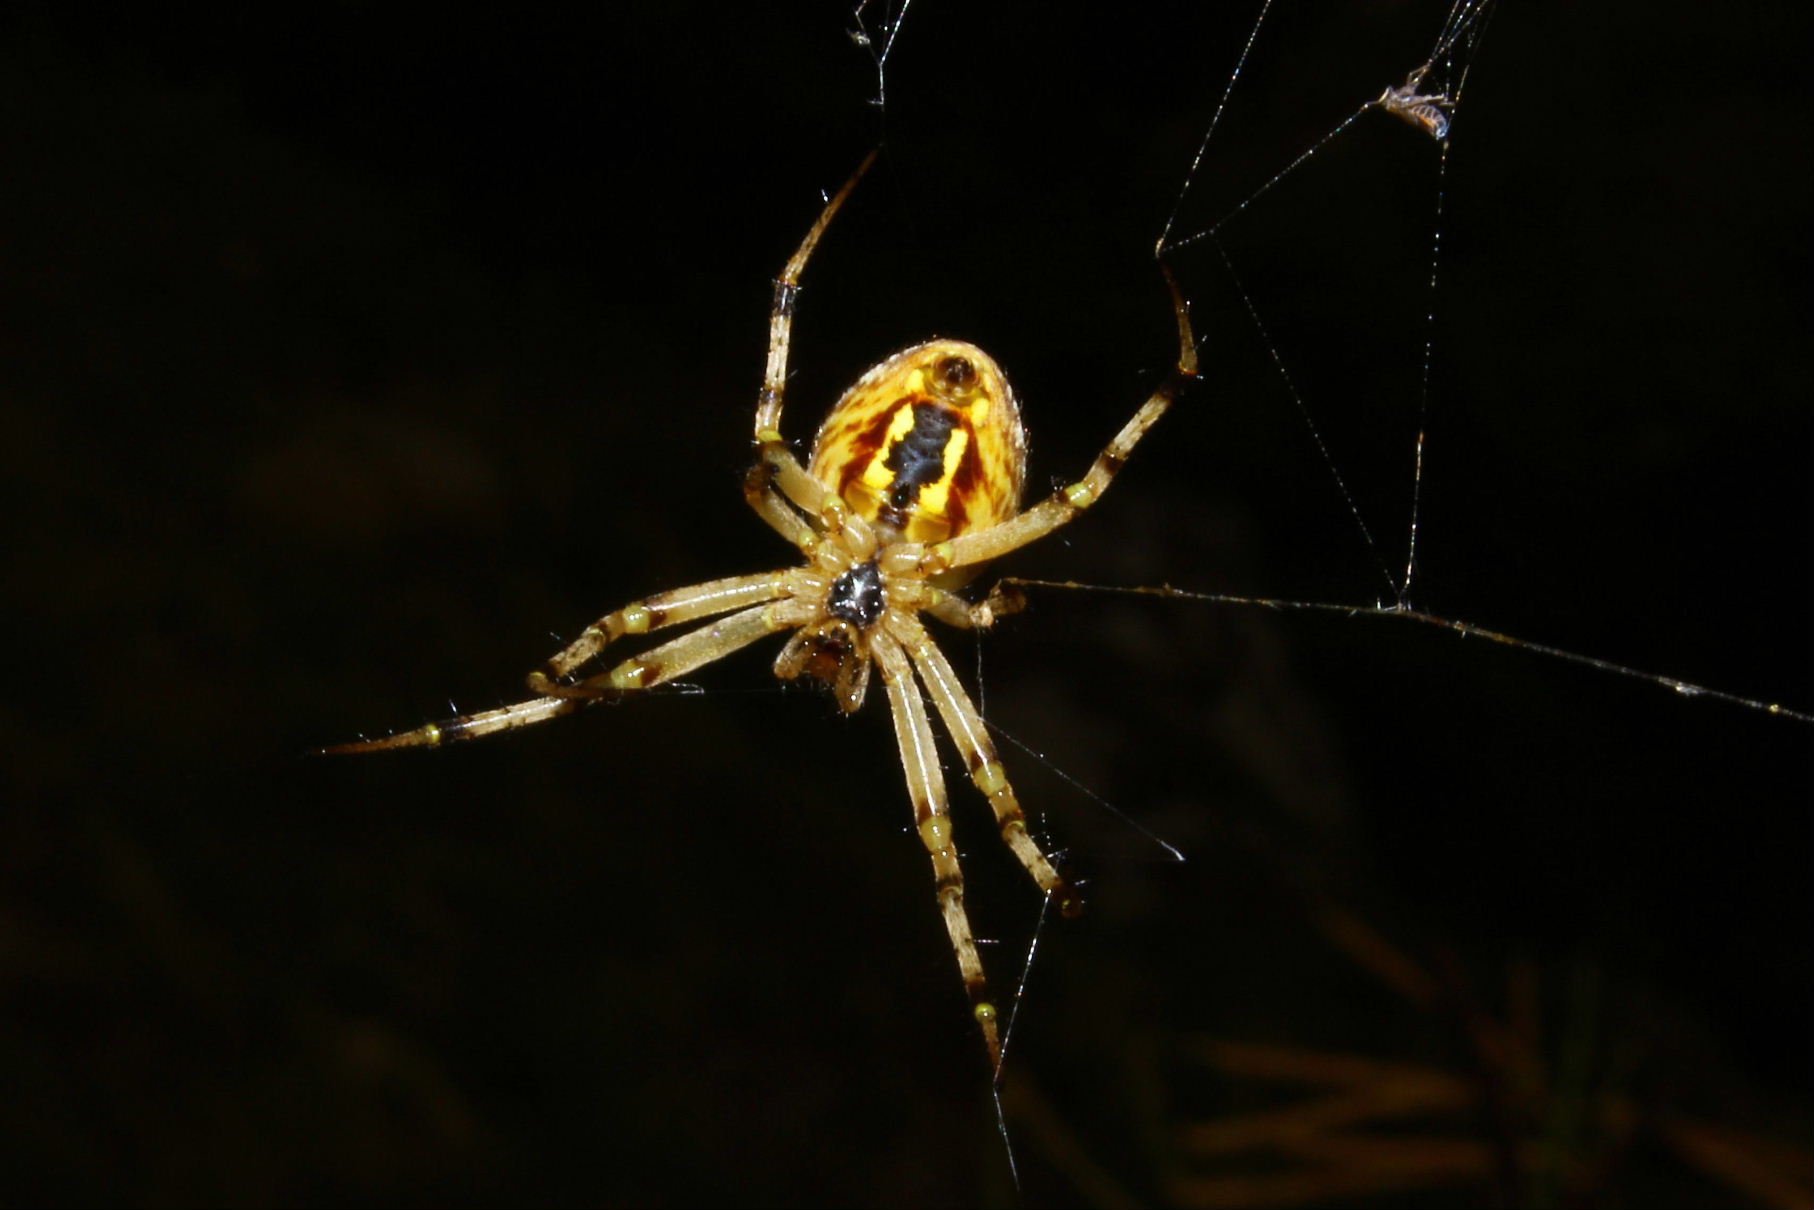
x=351, y=360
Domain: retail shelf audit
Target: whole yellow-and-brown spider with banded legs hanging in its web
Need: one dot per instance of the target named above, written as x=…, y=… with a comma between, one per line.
x=915, y=483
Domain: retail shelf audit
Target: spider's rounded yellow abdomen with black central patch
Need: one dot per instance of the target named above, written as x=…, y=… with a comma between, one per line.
x=926, y=445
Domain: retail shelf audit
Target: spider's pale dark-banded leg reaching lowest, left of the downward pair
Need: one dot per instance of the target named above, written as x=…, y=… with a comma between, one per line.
x=926, y=786
